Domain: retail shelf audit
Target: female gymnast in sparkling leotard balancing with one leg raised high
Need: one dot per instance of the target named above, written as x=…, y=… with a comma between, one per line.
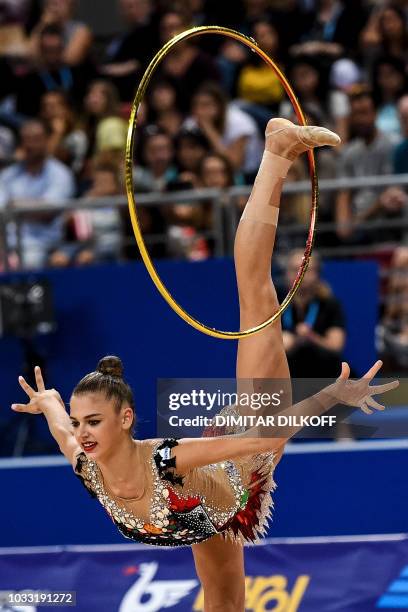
x=213, y=492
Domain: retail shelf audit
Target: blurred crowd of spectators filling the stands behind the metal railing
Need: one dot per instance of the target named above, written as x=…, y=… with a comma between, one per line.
x=66, y=95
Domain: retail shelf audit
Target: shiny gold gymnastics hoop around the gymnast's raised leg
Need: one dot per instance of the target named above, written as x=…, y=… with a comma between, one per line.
x=251, y=43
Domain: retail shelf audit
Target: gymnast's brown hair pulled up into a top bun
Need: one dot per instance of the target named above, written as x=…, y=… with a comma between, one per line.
x=108, y=380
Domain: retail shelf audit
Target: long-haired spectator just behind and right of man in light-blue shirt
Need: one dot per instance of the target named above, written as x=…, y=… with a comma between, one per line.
x=66, y=141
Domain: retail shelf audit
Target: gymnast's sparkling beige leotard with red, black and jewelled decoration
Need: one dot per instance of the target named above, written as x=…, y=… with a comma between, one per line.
x=232, y=498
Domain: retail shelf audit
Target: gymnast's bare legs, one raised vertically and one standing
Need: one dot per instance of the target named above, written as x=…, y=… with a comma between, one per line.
x=219, y=563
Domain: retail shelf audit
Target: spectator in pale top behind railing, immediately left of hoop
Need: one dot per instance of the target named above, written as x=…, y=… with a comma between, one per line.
x=97, y=231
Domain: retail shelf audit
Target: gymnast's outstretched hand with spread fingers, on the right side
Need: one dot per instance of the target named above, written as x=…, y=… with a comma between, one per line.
x=358, y=392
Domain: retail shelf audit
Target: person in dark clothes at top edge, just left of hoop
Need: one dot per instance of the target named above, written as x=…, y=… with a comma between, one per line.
x=127, y=54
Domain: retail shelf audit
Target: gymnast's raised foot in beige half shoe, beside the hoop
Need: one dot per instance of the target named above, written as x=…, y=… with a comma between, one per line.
x=284, y=138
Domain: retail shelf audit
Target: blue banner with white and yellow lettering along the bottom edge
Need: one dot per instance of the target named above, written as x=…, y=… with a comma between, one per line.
x=324, y=576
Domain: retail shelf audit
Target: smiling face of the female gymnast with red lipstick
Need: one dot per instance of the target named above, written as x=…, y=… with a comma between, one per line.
x=98, y=427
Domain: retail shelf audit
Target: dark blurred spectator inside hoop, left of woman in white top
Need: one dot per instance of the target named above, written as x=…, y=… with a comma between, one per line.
x=164, y=107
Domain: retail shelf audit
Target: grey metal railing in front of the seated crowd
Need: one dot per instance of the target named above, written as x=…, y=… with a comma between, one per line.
x=226, y=213
